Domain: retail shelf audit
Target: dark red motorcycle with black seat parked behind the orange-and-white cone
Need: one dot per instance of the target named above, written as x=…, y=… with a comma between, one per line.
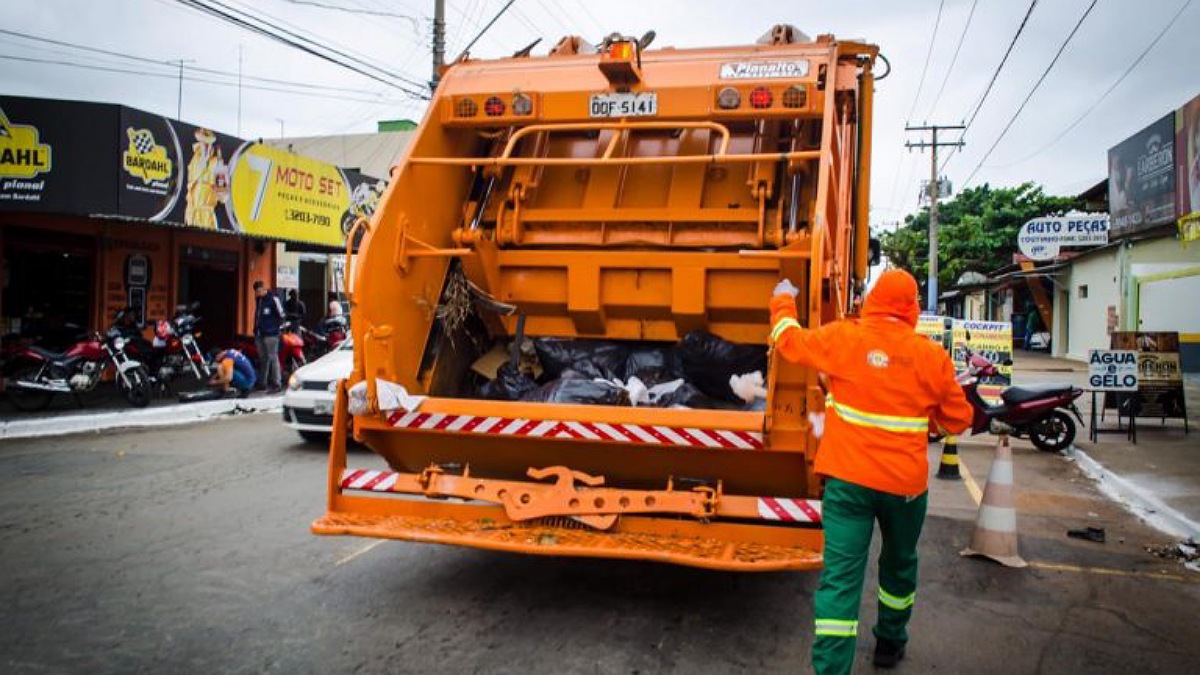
x=1034, y=411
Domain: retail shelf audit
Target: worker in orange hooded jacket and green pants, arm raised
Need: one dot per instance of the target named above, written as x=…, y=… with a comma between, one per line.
x=889, y=387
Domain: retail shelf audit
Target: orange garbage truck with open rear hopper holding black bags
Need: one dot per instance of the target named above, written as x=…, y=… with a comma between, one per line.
x=613, y=198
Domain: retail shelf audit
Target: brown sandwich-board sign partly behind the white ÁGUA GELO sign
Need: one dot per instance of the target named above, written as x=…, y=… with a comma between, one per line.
x=1160, y=377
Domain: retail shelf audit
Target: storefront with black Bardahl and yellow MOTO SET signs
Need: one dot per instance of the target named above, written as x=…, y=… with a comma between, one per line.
x=105, y=207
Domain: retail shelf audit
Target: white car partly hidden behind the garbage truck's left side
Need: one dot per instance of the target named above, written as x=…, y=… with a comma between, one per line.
x=309, y=401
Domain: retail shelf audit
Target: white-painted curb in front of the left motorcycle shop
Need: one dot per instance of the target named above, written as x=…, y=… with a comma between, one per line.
x=165, y=416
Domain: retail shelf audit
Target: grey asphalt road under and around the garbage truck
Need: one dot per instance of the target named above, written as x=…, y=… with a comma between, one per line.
x=188, y=551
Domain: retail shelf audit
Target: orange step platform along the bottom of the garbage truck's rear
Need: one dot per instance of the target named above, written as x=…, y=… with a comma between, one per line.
x=717, y=546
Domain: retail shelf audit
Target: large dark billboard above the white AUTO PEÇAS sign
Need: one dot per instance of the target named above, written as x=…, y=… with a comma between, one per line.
x=1142, y=178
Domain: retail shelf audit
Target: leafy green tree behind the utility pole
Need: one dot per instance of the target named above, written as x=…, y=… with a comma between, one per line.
x=976, y=231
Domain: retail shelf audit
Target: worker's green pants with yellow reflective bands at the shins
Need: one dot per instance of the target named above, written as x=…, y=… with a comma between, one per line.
x=849, y=513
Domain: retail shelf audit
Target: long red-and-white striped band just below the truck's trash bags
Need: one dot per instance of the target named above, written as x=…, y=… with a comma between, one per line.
x=645, y=434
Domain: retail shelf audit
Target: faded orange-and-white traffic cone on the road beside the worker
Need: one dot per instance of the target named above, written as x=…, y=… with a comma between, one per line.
x=995, y=536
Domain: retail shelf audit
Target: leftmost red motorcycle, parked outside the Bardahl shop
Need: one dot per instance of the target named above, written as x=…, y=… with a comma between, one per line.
x=38, y=374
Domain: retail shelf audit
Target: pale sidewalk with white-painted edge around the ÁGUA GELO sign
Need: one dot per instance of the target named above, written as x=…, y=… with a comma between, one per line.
x=1159, y=479
